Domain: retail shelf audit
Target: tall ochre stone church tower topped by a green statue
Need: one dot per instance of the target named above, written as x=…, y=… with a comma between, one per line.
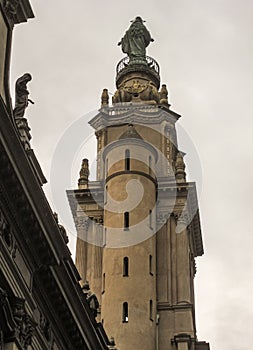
x=138, y=224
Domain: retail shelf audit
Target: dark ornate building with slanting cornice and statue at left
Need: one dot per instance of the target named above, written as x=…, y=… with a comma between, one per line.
x=42, y=305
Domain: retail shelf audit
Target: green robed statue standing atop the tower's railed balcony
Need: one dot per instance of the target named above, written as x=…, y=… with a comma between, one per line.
x=135, y=40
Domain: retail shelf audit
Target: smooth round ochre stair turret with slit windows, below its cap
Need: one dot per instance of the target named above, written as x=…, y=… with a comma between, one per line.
x=129, y=268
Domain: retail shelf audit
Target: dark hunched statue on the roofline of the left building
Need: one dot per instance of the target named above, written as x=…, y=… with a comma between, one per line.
x=22, y=93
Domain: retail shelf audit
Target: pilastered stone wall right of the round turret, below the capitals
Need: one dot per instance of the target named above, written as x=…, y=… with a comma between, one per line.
x=174, y=285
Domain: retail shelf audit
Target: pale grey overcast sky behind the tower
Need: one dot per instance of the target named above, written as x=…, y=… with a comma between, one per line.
x=204, y=49
